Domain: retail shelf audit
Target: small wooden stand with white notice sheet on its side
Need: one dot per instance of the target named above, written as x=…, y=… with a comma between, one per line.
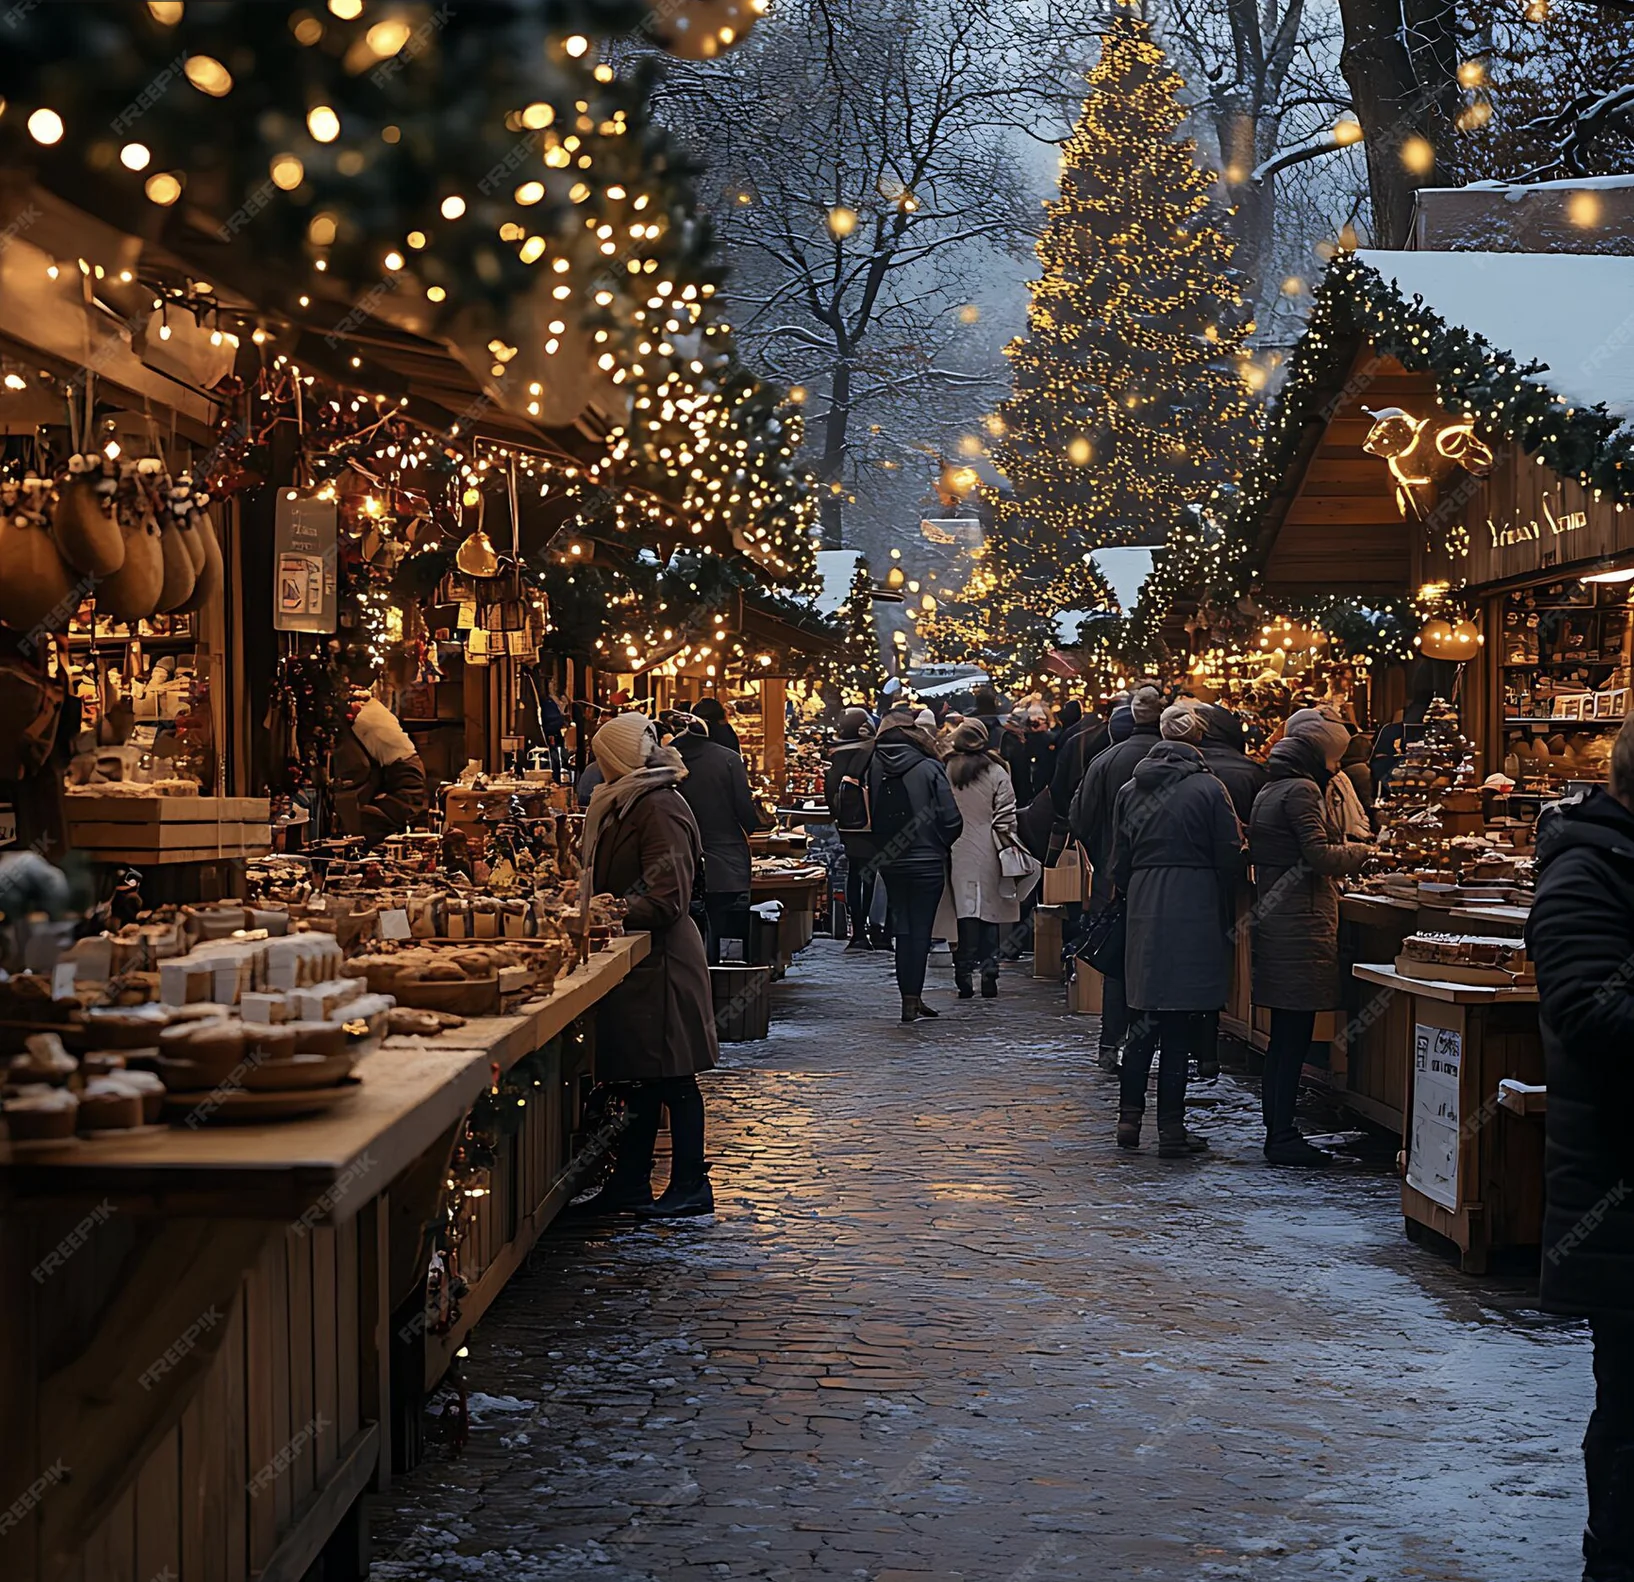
x=1473, y=1168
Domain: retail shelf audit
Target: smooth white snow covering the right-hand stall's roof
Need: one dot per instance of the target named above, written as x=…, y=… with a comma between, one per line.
x=1569, y=311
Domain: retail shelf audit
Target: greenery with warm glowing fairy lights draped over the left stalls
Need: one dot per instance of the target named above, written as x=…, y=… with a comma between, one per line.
x=493, y=184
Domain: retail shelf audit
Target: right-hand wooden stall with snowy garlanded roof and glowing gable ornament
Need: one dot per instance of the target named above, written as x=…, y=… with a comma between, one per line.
x=1450, y=434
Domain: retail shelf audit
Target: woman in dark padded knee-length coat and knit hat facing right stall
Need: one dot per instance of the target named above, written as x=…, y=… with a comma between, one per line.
x=1298, y=859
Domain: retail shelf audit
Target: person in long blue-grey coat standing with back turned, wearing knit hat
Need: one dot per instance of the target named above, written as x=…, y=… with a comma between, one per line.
x=1177, y=849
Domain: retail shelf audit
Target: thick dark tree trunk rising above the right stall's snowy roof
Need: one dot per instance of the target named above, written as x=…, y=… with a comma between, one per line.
x=1401, y=94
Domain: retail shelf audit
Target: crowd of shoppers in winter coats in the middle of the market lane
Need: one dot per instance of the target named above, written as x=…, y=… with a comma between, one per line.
x=1172, y=816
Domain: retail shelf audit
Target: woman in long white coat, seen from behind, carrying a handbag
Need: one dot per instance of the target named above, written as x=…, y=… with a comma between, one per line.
x=980, y=896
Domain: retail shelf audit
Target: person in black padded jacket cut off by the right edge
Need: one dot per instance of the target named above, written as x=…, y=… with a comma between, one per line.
x=1581, y=937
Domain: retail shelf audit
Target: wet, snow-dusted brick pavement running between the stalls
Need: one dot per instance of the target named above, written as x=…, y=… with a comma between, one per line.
x=944, y=1328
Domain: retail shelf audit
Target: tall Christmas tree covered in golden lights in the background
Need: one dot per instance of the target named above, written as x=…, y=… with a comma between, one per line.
x=1128, y=400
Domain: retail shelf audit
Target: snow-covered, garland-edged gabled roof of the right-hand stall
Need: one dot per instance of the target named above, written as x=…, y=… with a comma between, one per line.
x=1316, y=514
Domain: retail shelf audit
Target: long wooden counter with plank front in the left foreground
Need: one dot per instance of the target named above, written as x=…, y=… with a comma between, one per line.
x=218, y=1336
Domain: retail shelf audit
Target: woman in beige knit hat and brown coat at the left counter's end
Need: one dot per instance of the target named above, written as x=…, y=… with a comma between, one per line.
x=654, y=1030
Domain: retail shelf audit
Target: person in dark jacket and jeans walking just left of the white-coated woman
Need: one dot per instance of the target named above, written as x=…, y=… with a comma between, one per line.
x=916, y=825
